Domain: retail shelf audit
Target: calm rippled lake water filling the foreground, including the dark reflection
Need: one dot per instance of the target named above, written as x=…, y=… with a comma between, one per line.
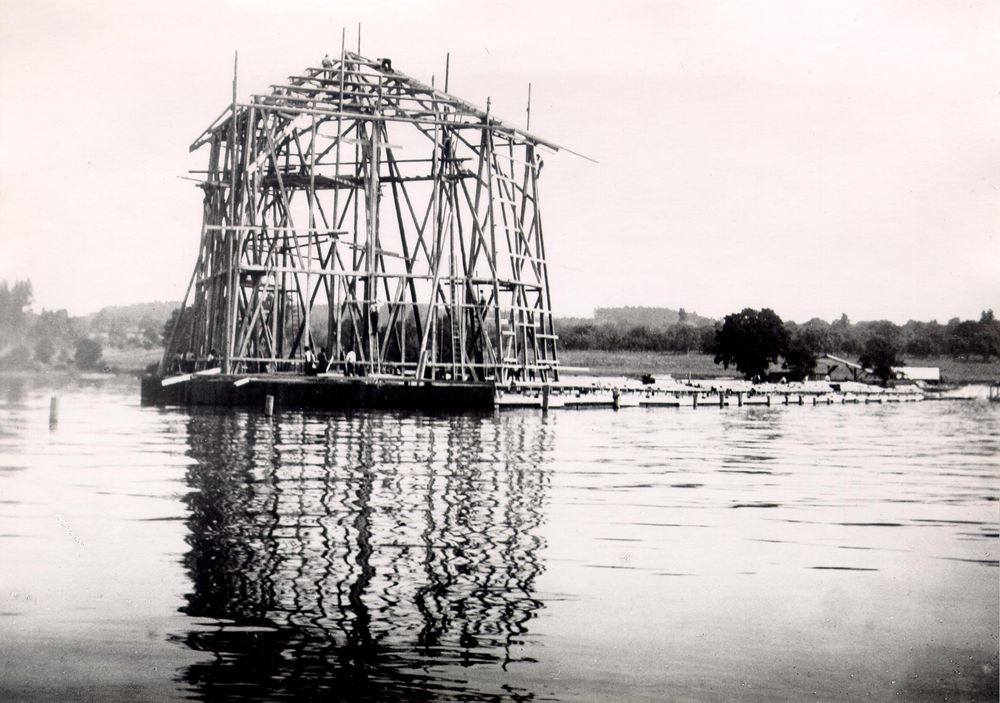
x=783, y=553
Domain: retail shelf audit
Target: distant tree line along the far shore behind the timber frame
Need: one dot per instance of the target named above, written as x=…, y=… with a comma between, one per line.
x=54, y=338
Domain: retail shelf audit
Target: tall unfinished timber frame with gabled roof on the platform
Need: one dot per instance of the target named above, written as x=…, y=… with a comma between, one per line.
x=354, y=208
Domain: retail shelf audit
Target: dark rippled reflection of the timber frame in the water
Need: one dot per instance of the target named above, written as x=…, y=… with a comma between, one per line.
x=354, y=553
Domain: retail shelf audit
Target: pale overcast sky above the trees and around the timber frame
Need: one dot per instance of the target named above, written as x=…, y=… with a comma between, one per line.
x=812, y=157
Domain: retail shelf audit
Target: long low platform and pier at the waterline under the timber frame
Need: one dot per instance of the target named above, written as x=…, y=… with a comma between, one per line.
x=338, y=392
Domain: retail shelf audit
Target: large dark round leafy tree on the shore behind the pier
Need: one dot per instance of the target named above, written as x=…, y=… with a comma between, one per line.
x=750, y=340
